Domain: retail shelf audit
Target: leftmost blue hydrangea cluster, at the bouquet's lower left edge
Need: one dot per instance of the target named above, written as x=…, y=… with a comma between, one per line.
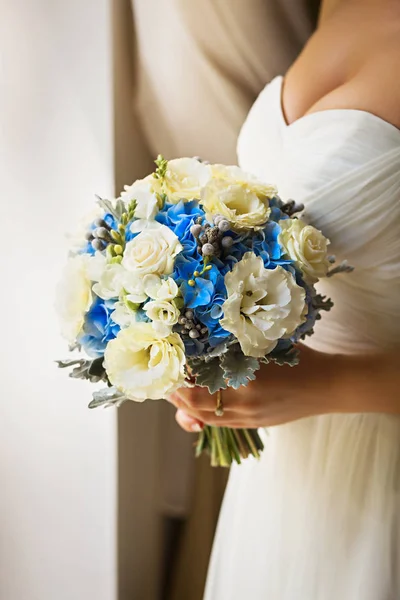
x=98, y=328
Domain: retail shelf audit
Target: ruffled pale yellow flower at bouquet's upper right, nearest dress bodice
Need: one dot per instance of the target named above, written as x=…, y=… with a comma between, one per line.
x=241, y=198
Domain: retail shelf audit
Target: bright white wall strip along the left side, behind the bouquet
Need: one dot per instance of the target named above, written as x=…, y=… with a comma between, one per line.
x=57, y=458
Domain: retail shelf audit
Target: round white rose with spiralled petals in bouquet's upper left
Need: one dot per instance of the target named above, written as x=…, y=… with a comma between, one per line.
x=152, y=251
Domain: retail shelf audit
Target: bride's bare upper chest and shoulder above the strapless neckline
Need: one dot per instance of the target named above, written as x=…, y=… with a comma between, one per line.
x=343, y=68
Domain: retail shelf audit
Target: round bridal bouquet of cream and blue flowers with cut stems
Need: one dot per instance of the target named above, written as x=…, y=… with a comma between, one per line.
x=194, y=276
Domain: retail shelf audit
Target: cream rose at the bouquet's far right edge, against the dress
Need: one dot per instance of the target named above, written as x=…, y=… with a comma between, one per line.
x=307, y=246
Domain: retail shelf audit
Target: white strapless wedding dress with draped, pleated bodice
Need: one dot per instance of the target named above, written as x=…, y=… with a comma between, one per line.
x=318, y=517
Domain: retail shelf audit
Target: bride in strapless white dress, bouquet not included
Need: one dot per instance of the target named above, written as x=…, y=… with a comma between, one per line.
x=318, y=517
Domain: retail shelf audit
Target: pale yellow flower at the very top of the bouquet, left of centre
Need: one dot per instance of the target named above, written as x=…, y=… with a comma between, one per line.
x=183, y=179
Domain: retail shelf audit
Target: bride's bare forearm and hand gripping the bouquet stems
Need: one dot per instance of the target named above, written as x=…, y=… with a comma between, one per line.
x=321, y=384
